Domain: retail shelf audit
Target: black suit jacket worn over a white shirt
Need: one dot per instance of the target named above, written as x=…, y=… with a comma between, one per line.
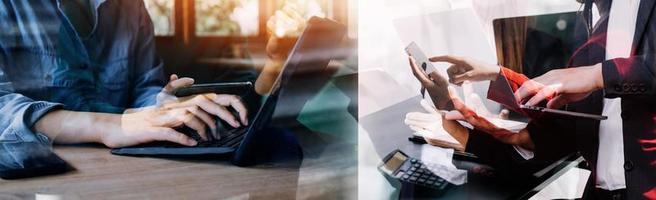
x=633, y=79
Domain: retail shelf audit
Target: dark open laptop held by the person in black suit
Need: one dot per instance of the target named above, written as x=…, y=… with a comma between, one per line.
x=534, y=45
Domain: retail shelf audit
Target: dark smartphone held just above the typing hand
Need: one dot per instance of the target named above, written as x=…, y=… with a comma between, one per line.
x=234, y=88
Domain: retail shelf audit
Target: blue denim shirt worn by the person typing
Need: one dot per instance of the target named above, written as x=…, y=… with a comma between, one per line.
x=45, y=65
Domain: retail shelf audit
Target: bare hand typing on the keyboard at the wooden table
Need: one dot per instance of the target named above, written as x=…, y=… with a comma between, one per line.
x=159, y=123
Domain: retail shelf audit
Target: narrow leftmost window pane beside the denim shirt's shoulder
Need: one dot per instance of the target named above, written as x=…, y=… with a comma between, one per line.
x=161, y=13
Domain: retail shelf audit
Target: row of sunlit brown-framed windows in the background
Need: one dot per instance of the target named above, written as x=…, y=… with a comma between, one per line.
x=246, y=18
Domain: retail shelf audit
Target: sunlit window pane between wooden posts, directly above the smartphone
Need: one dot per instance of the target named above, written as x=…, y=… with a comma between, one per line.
x=227, y=17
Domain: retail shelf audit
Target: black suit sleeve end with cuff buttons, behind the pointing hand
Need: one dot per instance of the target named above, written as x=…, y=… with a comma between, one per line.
x=633, y=76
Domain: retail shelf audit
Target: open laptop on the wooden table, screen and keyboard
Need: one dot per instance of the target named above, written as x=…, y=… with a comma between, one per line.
x=311, y=55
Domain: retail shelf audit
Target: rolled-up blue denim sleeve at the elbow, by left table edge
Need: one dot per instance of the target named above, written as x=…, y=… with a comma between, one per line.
x=22, y=148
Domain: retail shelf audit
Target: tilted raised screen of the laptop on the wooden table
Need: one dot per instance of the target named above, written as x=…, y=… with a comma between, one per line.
x=298, y=81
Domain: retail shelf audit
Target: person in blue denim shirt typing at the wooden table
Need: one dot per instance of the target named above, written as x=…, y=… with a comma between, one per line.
x=75, y=71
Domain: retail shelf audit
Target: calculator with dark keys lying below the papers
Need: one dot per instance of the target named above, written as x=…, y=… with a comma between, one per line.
x=397, y=166
